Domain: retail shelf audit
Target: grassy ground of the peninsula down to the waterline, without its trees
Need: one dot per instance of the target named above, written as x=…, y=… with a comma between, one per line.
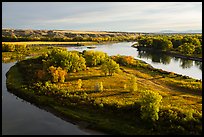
x=116, y=110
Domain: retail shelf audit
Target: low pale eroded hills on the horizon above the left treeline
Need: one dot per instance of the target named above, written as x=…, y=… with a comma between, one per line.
x=61, y=33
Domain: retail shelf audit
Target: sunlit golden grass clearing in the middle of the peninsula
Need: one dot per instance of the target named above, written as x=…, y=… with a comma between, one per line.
x=114, y=92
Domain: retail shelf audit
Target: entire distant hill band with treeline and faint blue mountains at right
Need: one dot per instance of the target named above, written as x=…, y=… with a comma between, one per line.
x=76, y=35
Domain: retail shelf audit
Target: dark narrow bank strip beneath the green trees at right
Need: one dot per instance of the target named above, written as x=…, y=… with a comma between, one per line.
x=171, y=53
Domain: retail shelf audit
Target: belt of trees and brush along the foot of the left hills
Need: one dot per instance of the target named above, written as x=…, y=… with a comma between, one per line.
x=68, y=36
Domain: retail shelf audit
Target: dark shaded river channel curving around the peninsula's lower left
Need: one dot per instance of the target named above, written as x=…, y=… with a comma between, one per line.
x=19, y=117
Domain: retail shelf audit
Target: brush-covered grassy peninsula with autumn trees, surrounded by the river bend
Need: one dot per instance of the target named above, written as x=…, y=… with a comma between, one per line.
x=123, y=103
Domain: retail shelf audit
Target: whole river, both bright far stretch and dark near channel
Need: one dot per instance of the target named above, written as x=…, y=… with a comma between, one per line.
x=19, y=117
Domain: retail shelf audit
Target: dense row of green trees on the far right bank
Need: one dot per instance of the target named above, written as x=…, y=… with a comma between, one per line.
x=190, y=45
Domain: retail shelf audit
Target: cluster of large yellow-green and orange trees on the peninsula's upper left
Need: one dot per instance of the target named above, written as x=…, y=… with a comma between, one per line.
x=57, y=63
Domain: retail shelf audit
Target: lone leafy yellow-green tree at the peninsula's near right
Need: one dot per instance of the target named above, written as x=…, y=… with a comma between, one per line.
x=150, y=103
